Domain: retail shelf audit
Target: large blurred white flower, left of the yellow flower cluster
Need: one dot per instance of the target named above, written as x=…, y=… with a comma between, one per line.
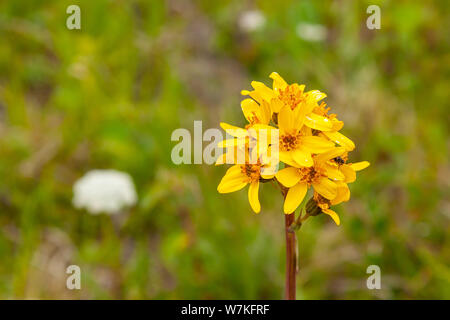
x=104, y=191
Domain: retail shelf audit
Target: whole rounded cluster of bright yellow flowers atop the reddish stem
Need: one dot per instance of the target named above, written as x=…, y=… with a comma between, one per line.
x=299, y=132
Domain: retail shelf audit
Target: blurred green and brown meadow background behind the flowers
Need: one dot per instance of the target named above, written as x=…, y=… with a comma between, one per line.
x=108, y=96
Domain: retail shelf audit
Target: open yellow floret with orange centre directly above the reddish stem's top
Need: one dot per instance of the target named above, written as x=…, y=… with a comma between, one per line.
x=321, y=176
